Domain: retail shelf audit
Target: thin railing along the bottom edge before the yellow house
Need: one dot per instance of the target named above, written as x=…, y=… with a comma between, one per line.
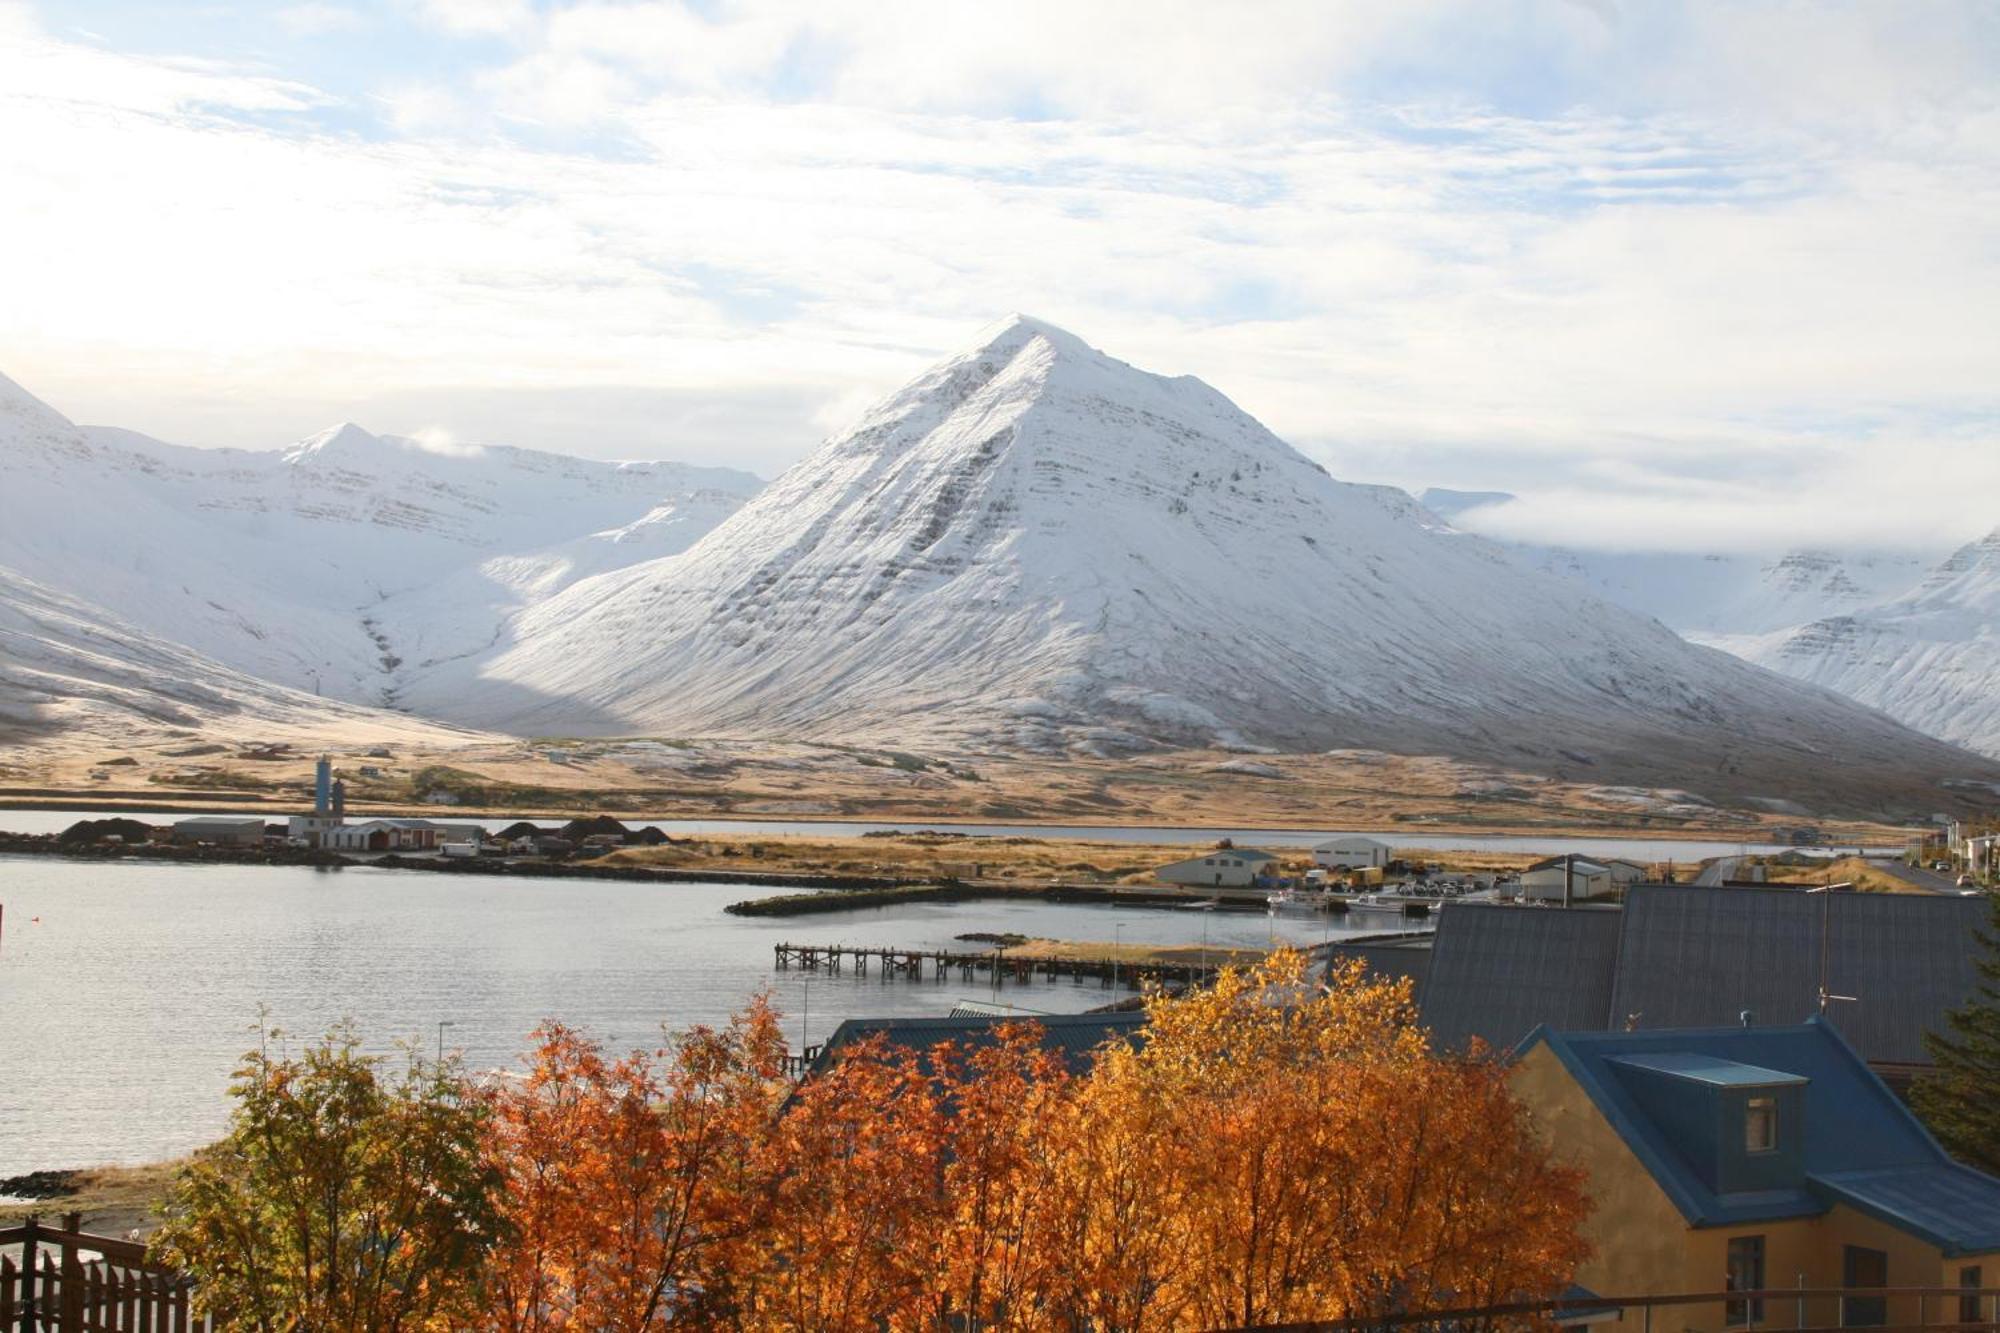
x=1779, y=1310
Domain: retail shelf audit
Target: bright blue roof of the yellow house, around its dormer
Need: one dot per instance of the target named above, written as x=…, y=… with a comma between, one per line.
x=1861, y=1144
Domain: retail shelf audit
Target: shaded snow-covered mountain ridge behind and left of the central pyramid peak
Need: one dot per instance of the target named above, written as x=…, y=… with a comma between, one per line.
x=347, y=563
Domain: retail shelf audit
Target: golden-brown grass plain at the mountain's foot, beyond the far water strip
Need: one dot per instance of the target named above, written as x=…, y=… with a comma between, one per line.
x=755, y=780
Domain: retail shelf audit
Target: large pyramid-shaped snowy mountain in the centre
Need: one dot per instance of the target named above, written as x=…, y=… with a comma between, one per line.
x=1039, y=547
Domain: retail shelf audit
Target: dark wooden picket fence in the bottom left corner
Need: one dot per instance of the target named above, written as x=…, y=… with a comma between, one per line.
x=73, y=1282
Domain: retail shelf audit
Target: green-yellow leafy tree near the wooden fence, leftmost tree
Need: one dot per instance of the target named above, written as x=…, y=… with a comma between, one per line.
x=345, y=1198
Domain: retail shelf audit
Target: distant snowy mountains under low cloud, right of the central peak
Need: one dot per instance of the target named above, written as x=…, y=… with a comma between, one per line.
x=1911, y=635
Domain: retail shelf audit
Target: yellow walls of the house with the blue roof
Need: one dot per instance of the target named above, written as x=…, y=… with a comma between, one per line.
x=1643, y=1246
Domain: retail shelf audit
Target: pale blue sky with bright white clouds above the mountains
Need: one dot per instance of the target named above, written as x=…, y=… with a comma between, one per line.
x=1681, y=275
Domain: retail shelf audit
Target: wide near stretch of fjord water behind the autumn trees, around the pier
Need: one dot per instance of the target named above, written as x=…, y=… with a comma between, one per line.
x=131, y=990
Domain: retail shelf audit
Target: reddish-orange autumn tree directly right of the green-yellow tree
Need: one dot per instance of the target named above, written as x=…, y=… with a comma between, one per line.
x=627, y=1180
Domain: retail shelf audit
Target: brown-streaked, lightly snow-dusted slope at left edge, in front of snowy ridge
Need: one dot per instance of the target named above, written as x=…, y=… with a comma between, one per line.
x=75, y=672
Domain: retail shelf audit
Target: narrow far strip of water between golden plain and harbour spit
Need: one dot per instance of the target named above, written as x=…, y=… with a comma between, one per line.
x=1637, y=850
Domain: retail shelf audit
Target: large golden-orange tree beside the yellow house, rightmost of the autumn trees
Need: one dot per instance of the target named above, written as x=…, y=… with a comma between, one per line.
x=1315, y=1160
